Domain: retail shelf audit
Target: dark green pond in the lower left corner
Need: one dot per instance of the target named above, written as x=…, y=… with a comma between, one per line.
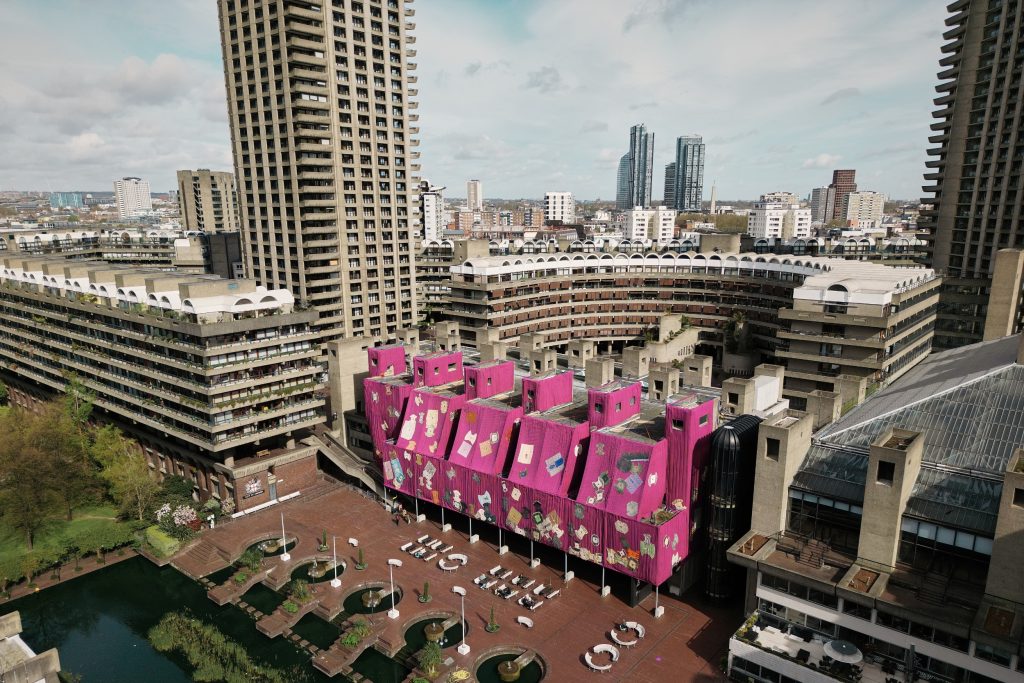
x=99, y=622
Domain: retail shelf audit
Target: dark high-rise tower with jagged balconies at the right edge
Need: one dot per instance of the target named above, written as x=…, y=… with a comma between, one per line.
x=975, y=173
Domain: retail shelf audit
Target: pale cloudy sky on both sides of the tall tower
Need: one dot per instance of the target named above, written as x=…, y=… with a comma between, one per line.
x=528, y=96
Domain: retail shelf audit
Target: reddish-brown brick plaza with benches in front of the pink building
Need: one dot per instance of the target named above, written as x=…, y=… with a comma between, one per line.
x=686, y=645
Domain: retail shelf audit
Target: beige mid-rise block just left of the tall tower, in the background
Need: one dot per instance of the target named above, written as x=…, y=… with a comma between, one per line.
x=208, y=201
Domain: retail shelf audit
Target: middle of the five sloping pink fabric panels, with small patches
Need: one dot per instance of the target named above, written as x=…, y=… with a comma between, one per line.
x=484, y=436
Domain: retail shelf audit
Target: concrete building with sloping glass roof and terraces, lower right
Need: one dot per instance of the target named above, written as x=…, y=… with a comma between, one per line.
x=887, y=545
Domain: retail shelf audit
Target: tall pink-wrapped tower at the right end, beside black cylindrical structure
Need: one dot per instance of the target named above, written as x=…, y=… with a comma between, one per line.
x=690, y=422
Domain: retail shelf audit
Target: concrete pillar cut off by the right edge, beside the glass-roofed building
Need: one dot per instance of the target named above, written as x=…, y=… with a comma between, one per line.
x=1004, y=579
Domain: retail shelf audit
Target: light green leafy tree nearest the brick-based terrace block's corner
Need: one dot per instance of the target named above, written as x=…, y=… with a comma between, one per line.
x=124, y=469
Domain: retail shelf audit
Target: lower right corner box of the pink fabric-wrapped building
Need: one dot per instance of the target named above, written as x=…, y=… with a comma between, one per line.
x=646, y=550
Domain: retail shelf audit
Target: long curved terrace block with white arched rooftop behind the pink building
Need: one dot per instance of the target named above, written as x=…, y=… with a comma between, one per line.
x=843, y=326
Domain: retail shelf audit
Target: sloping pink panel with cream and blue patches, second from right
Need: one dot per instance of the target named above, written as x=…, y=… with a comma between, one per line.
x=547, y=453
